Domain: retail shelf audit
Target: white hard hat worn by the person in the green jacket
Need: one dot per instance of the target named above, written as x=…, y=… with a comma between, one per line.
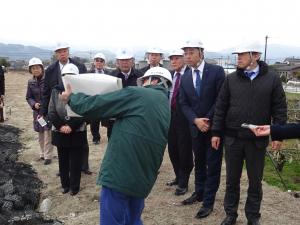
x=160, y=72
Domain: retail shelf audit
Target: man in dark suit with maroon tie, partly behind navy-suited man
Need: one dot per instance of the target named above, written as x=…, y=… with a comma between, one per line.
x=179, y=140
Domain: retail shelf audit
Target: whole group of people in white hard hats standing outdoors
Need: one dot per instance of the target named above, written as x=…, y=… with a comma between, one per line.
x=194, y=108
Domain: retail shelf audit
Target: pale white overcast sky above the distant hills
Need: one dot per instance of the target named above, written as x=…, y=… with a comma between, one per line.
x=104, y=24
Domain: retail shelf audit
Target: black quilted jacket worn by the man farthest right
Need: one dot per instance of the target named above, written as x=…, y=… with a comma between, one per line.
x=242, y=100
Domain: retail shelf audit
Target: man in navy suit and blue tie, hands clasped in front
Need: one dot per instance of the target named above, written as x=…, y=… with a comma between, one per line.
x=198, y=93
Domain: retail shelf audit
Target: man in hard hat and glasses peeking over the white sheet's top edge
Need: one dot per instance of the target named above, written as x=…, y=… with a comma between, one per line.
x=99, y=68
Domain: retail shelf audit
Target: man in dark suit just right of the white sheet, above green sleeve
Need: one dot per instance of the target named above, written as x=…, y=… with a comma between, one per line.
x=125, y=71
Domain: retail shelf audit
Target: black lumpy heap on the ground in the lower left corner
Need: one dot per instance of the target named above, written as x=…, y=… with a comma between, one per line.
x=19, y=184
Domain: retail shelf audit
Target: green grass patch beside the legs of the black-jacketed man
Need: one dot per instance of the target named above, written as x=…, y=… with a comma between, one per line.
x=290, y=175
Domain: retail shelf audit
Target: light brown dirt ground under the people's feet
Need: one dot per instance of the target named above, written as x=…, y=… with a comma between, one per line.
x=162, y=206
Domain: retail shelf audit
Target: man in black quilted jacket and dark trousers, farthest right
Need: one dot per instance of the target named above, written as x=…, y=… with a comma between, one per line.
x=253, y=94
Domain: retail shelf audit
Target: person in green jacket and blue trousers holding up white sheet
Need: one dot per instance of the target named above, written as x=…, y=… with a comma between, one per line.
x=136, y=146
